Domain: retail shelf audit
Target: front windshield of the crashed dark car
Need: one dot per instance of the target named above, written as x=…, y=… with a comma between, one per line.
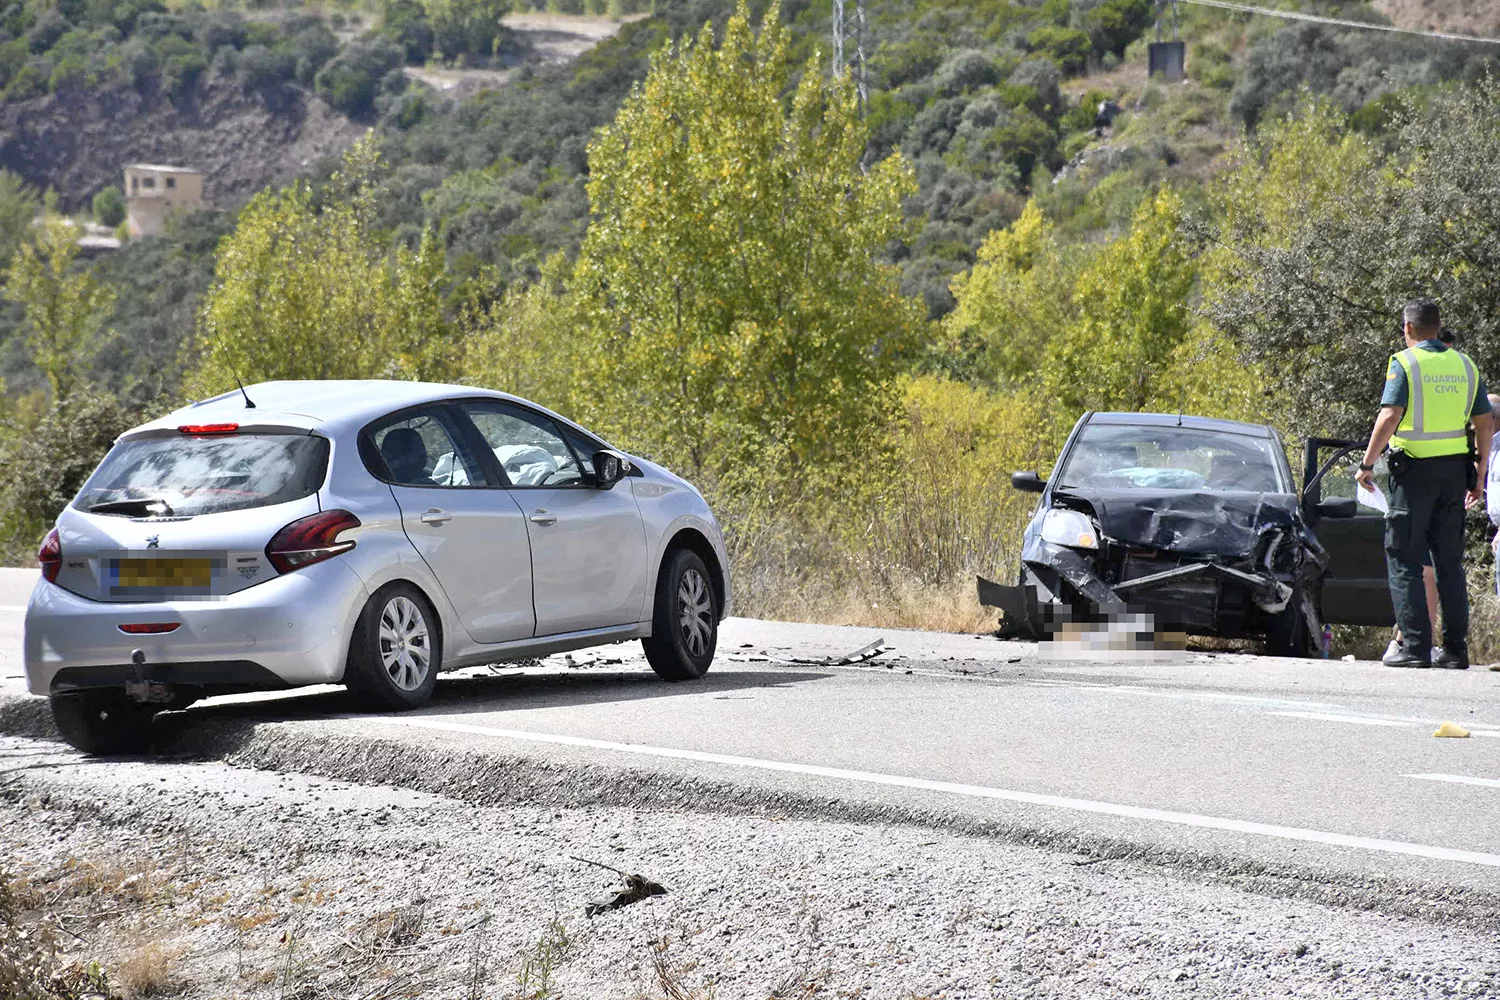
x=1129, y=457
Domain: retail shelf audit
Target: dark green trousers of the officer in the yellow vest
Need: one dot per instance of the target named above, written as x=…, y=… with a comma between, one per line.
x=1427, y=515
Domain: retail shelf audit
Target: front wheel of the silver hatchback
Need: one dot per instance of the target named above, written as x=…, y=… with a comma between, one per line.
x=685, y=627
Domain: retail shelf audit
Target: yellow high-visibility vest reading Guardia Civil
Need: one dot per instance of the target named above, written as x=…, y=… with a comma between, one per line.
x=1441, y=395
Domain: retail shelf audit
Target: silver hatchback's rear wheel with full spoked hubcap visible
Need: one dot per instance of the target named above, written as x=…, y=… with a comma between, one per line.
x=397, y=650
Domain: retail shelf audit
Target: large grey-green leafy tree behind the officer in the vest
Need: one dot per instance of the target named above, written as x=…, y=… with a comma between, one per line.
x=1322, y=242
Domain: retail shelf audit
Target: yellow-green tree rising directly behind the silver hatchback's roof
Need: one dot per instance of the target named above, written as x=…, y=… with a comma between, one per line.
x=316, y=293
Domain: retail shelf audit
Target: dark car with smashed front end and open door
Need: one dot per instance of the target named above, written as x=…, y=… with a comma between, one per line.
x=1201, y=525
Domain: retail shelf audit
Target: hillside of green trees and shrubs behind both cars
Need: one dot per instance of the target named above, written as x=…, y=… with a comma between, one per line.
x=847, y=323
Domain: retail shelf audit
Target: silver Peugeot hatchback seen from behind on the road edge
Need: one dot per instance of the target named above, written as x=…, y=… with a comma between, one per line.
x=358, y=533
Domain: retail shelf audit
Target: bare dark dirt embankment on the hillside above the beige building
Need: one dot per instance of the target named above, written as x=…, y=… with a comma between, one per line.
x=242, y=142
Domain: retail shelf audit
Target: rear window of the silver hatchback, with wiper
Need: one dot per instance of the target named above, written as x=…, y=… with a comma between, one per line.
x=187, y=476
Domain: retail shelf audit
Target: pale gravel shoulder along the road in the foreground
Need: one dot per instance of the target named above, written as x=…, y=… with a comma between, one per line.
x=251, y=884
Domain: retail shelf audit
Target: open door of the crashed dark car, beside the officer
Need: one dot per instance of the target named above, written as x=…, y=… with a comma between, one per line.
x=1355, y=590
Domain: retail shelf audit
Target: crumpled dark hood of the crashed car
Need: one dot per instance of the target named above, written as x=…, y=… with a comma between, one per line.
x=1189, y=522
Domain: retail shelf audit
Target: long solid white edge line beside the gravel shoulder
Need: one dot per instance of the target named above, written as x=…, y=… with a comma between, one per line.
x=1031, y=798
